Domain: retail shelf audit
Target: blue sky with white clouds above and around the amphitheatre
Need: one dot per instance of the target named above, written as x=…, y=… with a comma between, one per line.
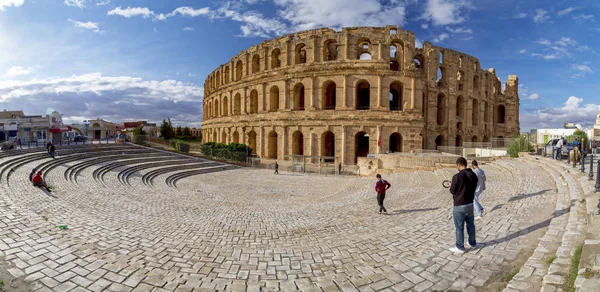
x=140, y=59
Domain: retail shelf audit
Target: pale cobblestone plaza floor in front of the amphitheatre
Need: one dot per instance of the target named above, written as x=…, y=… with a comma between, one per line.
x=250, y=230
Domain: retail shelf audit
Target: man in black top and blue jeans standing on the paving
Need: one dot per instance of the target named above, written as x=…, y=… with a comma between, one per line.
x=462, y=189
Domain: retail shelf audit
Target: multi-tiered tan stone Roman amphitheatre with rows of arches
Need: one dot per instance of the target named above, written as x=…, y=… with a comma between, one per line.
x=327, y=93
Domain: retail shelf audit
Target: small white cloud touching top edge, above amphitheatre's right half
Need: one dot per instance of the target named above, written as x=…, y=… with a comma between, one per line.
x=444, y=12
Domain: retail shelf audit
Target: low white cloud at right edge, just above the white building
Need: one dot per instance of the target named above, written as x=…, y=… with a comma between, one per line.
x=573, y=111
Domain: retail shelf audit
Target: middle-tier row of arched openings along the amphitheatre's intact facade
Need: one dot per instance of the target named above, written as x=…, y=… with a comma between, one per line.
x=213, y=109
